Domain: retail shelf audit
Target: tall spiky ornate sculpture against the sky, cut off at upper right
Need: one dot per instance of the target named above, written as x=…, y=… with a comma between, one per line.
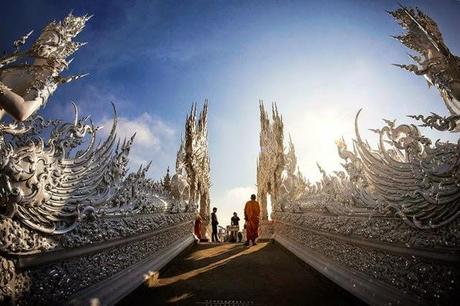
x=434, y=61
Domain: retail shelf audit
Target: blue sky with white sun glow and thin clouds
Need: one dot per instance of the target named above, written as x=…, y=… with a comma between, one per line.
x=320, y=61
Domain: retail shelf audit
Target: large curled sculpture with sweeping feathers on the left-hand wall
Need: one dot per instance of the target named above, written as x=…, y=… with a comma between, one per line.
x=45, y=187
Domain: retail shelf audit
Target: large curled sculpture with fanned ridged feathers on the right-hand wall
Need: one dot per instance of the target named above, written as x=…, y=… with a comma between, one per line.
x=419, y=180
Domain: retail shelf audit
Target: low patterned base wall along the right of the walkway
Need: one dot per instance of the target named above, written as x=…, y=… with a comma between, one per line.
x=372, y=268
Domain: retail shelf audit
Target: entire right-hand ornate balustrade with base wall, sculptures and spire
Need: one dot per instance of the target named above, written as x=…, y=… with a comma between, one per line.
x=392, y=216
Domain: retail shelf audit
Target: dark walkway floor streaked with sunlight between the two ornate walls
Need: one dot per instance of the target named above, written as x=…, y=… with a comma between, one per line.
x=264, y=274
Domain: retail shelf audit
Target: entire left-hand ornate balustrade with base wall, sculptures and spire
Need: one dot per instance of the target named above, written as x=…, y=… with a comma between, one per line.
x=62, y=191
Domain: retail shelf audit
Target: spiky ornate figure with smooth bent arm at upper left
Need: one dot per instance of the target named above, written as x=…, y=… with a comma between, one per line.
x=24, y=87
